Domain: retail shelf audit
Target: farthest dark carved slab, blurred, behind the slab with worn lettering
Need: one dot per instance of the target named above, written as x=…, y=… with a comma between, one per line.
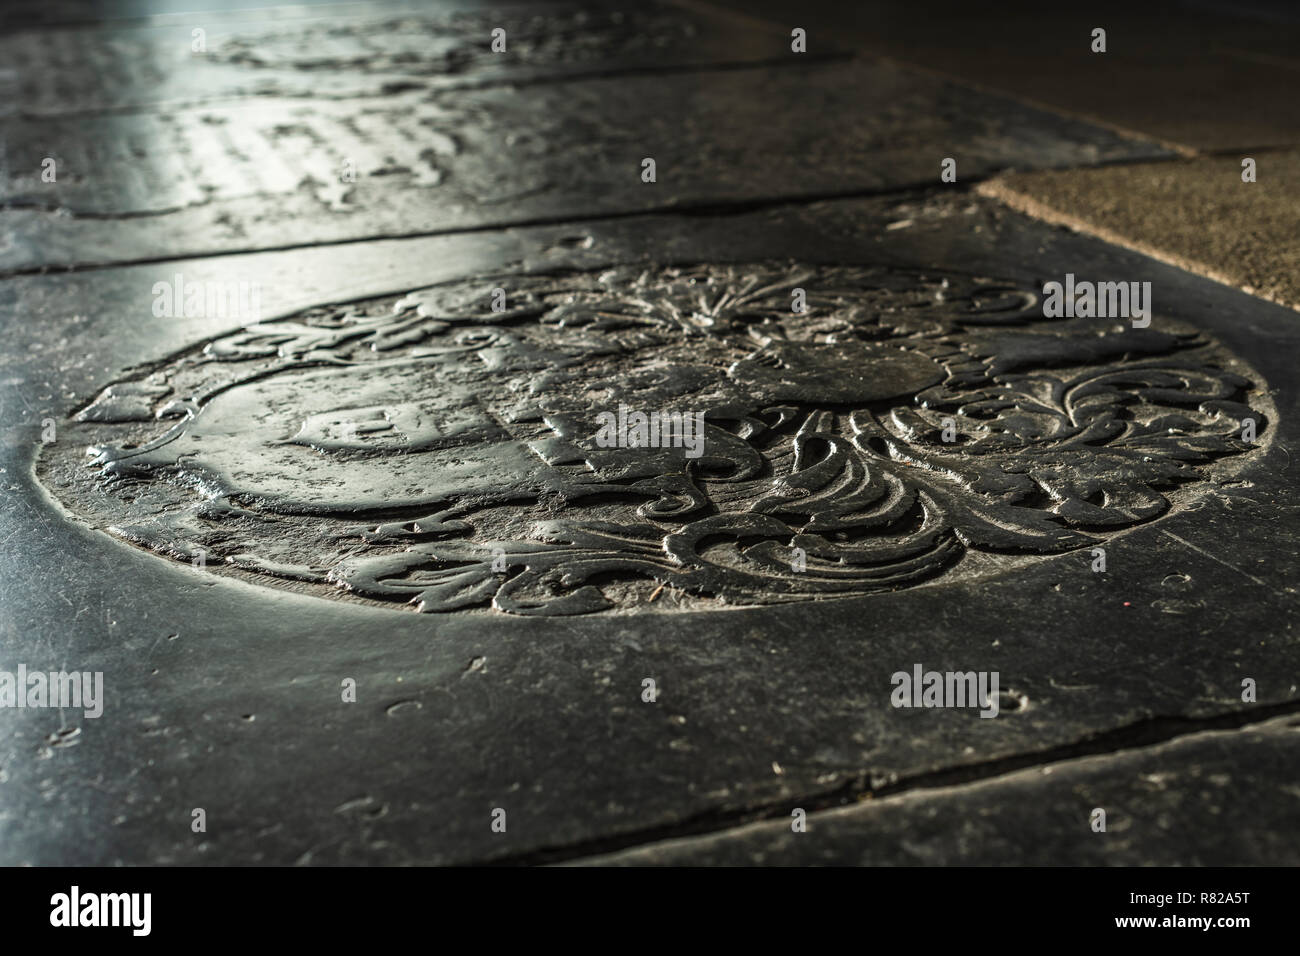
x=136, y=64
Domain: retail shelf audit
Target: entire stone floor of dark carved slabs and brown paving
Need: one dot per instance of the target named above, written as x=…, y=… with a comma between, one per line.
x=365, y=589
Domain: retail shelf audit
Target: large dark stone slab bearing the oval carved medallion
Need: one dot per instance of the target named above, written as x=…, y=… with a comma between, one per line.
x=224, y=691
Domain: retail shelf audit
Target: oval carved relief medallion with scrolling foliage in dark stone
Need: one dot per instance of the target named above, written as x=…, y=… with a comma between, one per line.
x=434, y=451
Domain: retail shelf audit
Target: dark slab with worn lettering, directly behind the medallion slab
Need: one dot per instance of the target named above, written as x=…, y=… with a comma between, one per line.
x=411, y=158
